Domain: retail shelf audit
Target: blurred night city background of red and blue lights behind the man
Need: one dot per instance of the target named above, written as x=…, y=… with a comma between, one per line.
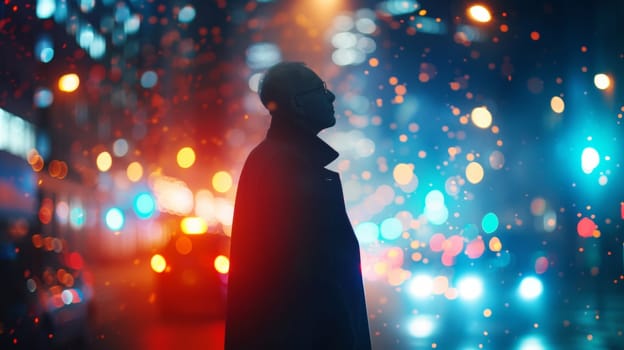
x=480, y=150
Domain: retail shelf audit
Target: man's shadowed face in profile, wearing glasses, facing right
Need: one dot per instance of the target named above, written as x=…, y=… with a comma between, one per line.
x=314, y=102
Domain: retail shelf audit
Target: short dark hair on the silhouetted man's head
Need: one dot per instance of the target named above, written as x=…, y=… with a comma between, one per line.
x=279, y=82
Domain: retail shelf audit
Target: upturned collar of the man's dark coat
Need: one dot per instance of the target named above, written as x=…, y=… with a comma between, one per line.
x=308, y=145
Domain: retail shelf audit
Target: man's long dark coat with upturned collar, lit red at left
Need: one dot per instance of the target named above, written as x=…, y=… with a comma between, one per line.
x=295, y=279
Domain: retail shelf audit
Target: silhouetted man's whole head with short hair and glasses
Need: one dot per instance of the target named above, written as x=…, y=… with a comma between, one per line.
x=292, y=90
